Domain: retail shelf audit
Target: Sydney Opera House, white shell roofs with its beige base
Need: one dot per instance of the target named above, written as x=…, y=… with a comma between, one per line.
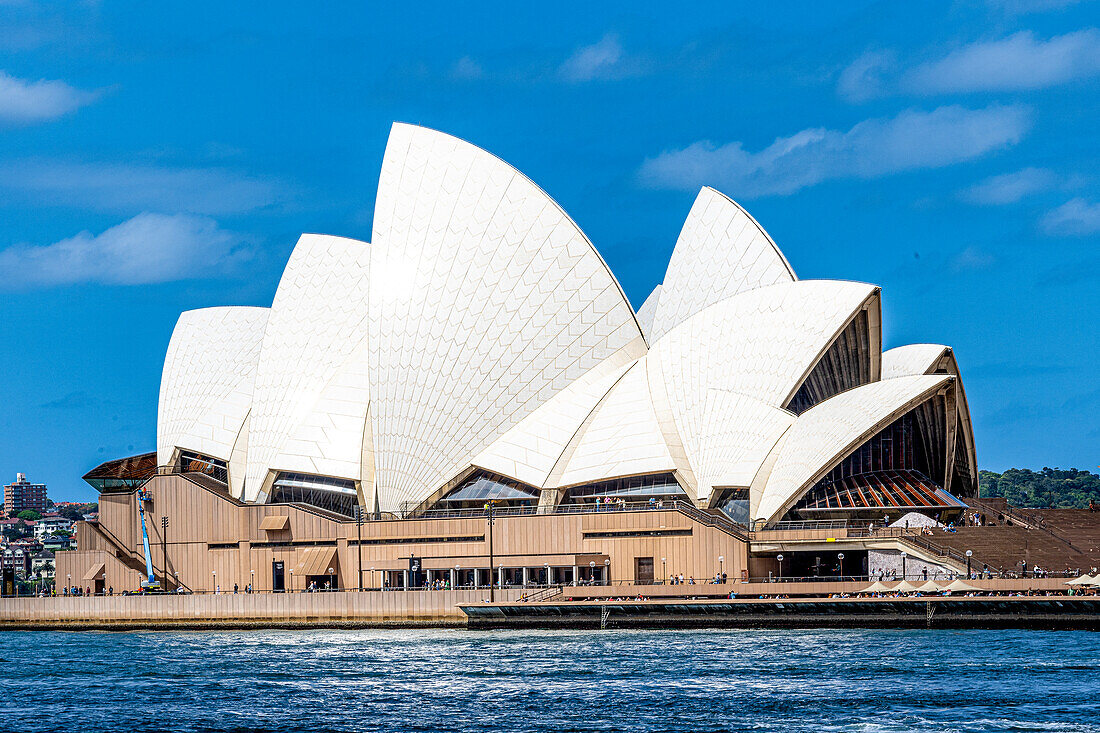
x=480, y=352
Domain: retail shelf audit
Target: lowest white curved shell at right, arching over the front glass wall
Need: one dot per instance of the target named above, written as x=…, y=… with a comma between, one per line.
x=829, y=432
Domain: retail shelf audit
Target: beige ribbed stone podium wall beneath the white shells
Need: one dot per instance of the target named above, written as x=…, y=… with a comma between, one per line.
x=213, y=540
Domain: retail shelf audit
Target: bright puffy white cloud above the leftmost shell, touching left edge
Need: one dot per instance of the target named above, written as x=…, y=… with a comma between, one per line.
x=150, y=248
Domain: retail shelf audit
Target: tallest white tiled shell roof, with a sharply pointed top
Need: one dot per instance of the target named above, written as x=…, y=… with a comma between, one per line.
x=486, y=302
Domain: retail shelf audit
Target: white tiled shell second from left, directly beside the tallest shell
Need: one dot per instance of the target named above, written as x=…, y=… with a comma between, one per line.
x=318, y=320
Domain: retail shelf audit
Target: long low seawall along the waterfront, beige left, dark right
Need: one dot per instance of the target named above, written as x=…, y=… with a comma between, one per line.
x=584, y=607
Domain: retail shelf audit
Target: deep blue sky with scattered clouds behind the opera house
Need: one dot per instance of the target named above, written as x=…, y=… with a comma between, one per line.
x=159, y=158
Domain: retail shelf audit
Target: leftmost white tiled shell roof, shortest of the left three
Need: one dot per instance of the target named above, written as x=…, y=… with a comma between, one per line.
x=206, y=387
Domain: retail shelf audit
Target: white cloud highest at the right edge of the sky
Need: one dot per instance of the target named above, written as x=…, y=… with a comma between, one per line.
x=1018, y=62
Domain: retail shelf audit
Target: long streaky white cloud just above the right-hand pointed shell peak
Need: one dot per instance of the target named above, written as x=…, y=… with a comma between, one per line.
x=875, y=148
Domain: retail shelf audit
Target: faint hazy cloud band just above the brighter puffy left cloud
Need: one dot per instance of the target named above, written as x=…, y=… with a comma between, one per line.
x=129, y=189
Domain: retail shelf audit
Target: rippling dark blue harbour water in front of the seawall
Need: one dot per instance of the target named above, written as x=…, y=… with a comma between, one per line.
x=560, y=682
